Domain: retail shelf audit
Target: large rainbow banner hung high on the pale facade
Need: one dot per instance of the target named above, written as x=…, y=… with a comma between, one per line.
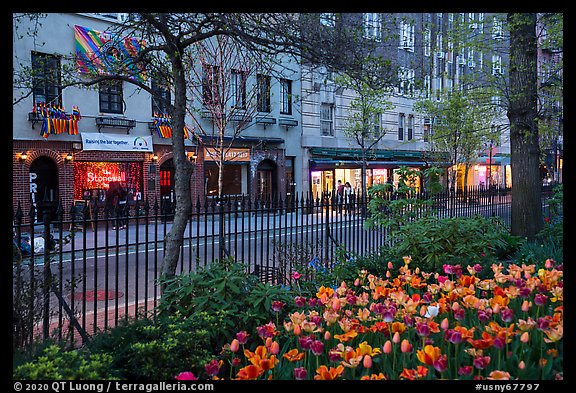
x=102, y=53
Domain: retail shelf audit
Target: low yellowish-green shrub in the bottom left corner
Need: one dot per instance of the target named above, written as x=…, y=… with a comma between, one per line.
x=57, y=364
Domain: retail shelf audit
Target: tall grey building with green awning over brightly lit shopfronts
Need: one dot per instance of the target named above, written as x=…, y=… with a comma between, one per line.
x=434, y=53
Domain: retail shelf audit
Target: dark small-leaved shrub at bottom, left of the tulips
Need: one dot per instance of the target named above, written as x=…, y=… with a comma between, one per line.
x=147, y=349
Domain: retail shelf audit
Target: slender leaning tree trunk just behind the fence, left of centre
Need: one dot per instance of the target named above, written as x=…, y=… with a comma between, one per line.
x=182, y=174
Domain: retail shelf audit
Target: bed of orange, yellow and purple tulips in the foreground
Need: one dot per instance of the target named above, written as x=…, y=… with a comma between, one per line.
x=414, y=325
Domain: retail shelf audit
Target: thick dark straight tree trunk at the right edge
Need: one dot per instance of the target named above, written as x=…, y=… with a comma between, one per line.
x=522, y=112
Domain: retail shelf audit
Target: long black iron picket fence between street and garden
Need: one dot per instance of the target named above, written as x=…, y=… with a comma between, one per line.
x=93, y=266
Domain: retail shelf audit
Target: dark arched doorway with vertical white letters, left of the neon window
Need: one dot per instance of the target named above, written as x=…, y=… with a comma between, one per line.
x=44, y=186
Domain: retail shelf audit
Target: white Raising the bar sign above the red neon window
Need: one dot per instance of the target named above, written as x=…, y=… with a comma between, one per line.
x=110, y=142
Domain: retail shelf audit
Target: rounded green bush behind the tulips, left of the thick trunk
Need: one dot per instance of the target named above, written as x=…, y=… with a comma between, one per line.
x=461, y=240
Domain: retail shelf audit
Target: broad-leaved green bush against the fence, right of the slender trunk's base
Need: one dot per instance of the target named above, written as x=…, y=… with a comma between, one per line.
x=223, y=286
